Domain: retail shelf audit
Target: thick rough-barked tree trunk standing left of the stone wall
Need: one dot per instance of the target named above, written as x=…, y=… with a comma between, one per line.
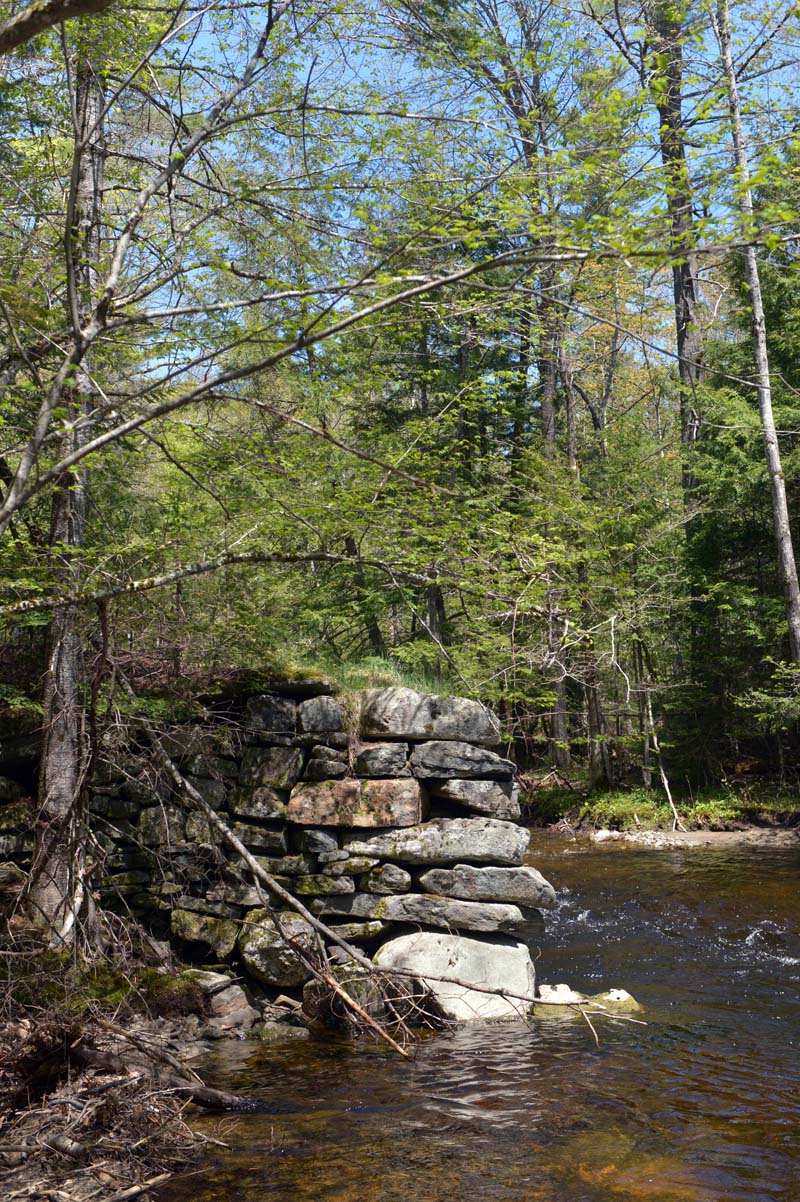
x=59, y=897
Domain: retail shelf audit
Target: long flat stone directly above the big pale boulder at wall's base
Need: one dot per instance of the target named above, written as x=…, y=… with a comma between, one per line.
x=425, y=911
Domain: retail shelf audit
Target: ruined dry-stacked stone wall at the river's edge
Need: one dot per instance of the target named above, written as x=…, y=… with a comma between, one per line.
x=397, y=823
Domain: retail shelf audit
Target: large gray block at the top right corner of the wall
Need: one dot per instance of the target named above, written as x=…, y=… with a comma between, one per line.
x=405, y=713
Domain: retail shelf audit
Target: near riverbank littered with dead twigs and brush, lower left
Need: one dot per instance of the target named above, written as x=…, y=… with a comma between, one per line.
x=97, y=1072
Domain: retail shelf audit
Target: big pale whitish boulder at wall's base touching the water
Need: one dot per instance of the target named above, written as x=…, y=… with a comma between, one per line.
x=495, y=963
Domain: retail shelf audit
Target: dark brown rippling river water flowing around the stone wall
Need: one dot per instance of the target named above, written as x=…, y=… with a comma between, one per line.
x=702, y=1105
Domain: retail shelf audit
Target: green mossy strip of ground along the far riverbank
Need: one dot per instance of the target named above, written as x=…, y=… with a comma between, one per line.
x=721, y=810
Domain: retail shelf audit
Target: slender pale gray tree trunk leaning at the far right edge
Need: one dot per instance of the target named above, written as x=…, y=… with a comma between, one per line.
x=787, y=566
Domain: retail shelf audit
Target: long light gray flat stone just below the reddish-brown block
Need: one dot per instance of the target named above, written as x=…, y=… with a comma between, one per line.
x=447, y=841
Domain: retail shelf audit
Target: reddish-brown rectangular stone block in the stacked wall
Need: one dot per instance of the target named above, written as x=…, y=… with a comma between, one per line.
x=357, y=804
